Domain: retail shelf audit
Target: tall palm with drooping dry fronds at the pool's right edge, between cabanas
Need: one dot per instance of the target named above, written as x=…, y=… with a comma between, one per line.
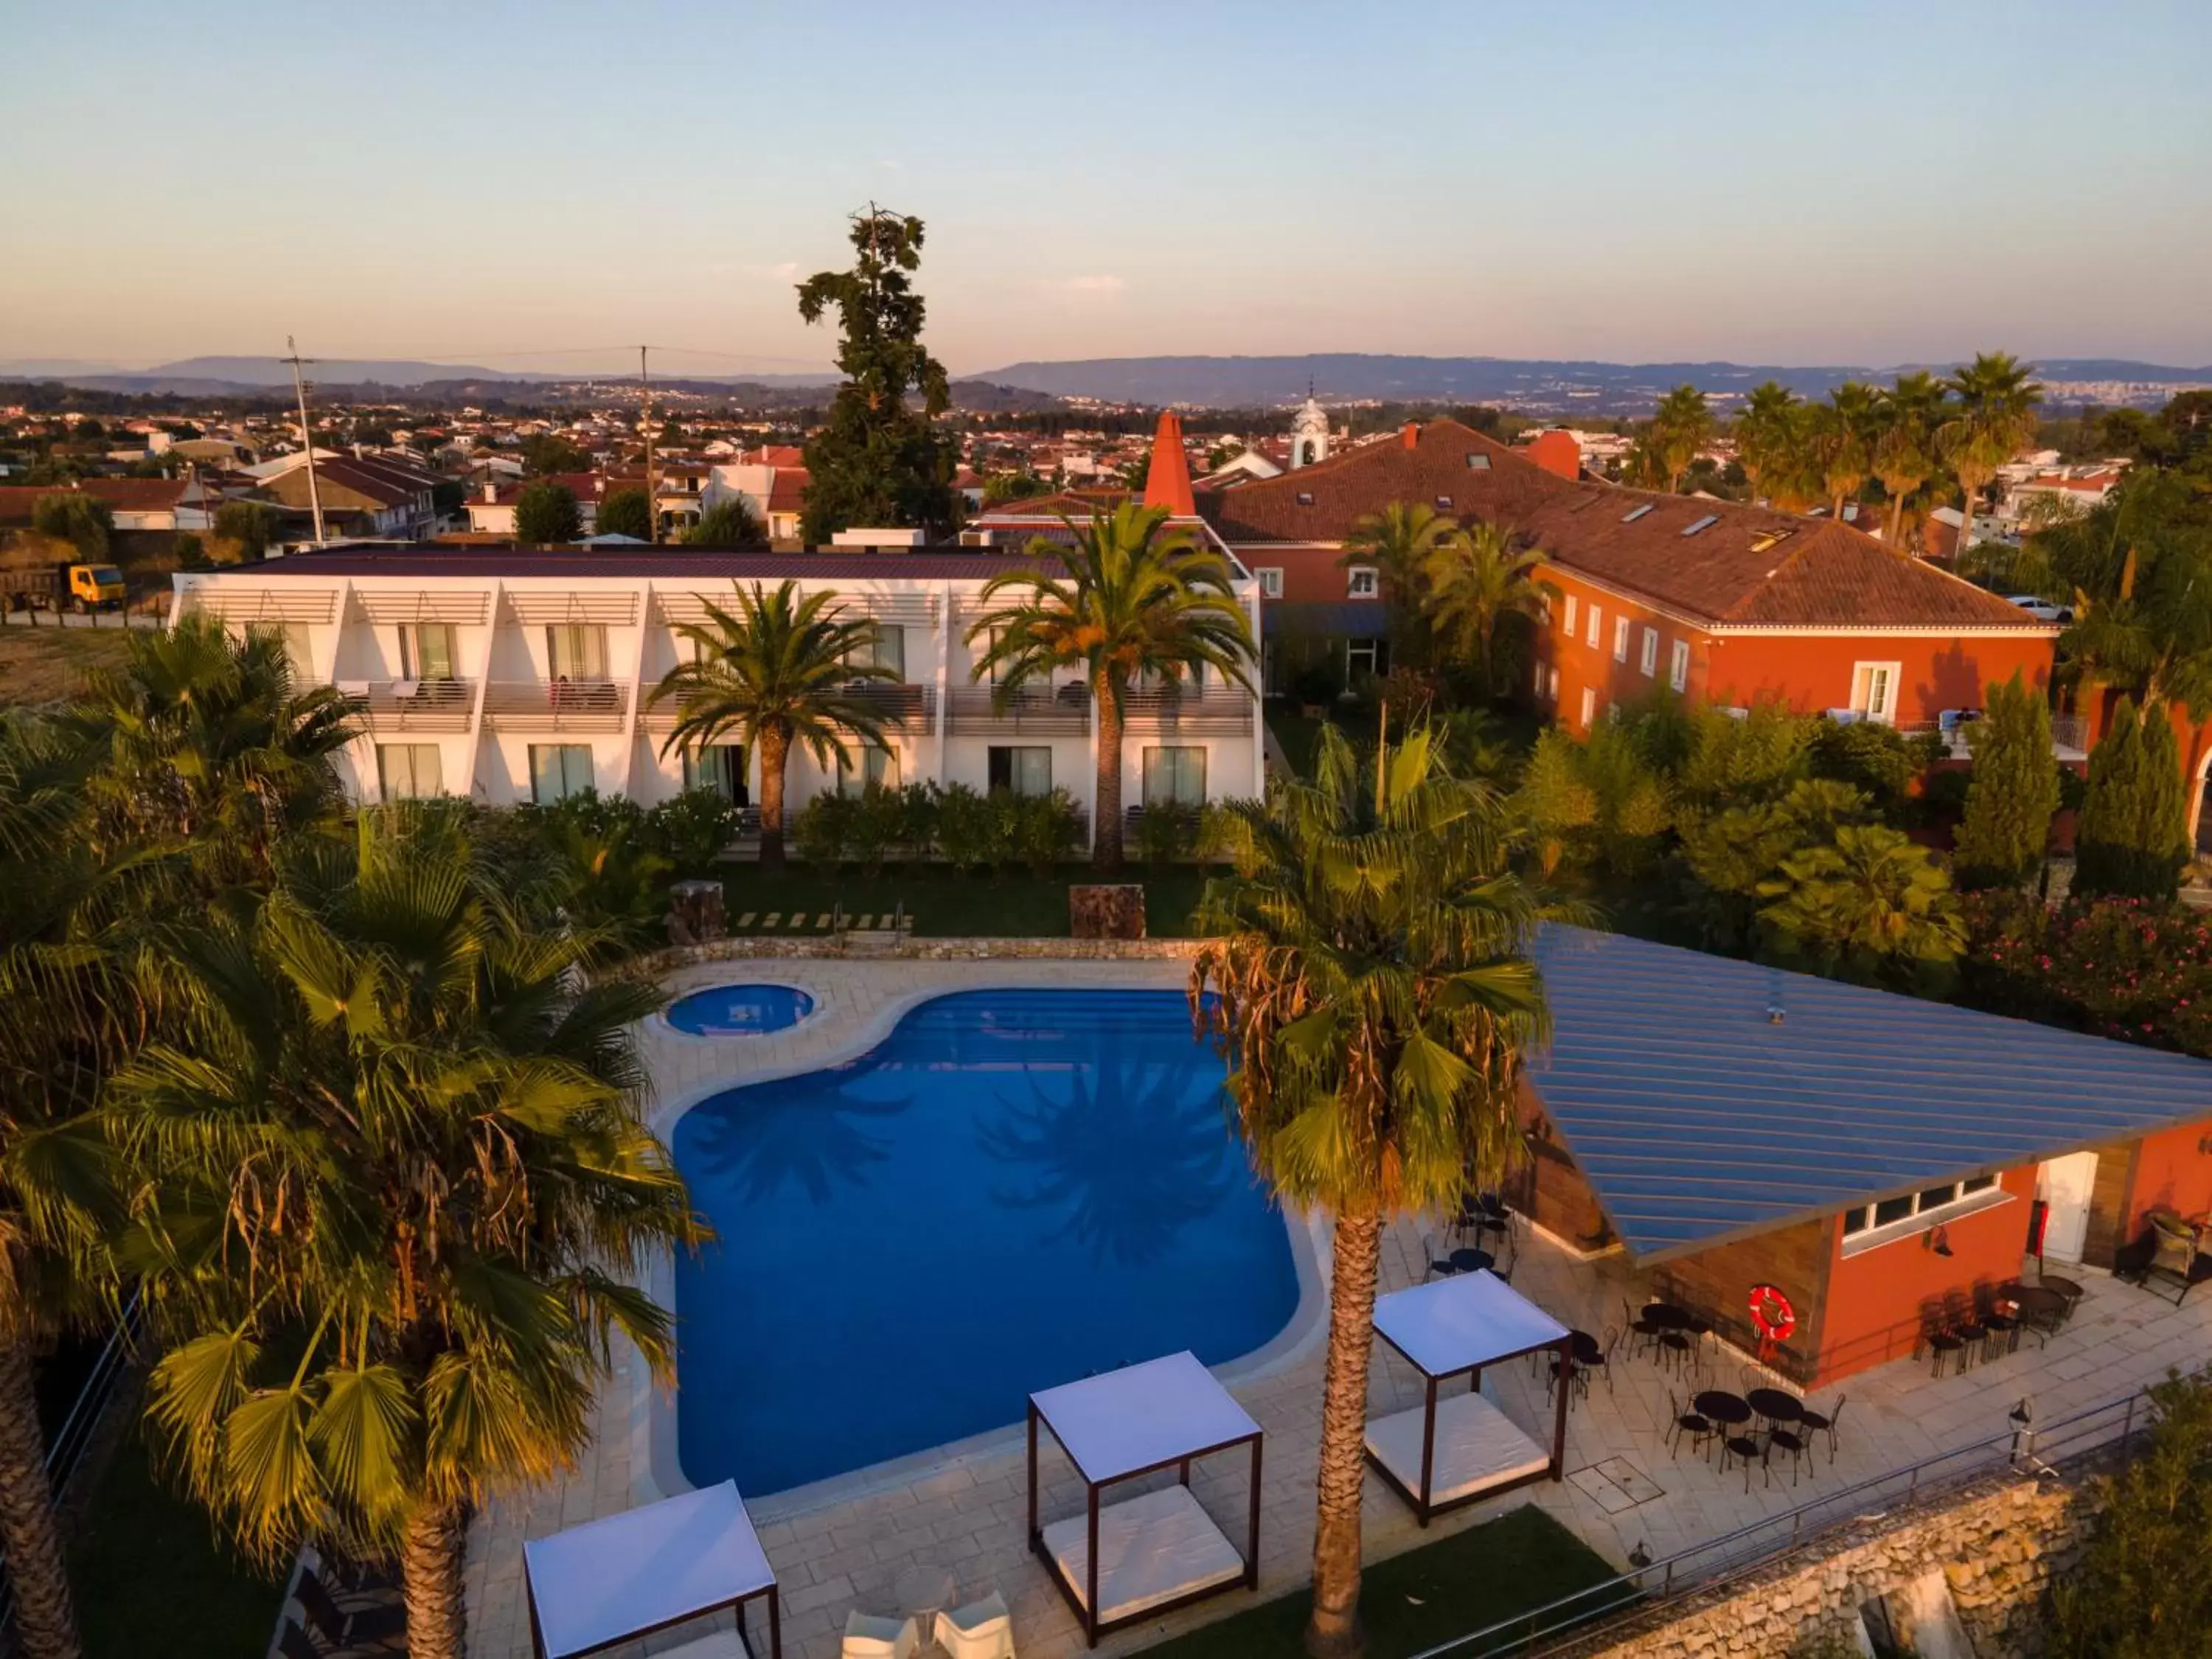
x=1368, y=977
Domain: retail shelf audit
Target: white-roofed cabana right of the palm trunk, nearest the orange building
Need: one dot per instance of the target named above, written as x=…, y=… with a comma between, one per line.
x=1452, y=1452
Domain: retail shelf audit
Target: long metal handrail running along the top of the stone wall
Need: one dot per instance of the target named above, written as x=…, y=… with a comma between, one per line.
x=1740, y=1554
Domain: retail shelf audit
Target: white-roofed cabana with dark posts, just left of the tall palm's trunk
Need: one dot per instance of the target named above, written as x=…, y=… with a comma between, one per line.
x=1120, y=1563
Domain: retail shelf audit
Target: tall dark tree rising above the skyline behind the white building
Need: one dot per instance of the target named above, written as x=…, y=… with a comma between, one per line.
x=879, y=459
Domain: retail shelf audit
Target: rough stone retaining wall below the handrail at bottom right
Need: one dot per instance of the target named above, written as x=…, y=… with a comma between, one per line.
x=1999, y=1543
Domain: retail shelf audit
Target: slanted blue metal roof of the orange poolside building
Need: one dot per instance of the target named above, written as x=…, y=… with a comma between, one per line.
x=1698, y=1118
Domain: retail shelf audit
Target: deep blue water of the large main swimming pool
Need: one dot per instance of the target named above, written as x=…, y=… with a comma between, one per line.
x=1014, y=1191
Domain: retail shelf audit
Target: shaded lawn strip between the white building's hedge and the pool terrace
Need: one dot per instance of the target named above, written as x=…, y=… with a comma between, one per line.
x=946, y=904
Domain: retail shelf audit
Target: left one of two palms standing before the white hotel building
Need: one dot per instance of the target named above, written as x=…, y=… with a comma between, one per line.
x=778, y=671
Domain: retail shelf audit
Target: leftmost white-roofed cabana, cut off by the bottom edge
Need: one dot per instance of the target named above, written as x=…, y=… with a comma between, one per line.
x=647, y=1569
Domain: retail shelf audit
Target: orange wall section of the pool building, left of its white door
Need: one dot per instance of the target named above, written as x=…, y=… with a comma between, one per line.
x=1879, y=1300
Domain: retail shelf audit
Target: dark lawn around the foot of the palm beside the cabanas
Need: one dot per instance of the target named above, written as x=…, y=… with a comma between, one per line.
x=1428, y=1596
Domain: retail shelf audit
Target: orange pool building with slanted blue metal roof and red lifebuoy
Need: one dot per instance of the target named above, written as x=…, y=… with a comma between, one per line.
x=1868, y=1167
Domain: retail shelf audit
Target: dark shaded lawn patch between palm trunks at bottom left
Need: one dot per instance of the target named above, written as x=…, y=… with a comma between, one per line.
x=152, y=1578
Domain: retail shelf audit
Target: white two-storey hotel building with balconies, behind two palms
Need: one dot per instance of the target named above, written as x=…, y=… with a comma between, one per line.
x=519, y=676
